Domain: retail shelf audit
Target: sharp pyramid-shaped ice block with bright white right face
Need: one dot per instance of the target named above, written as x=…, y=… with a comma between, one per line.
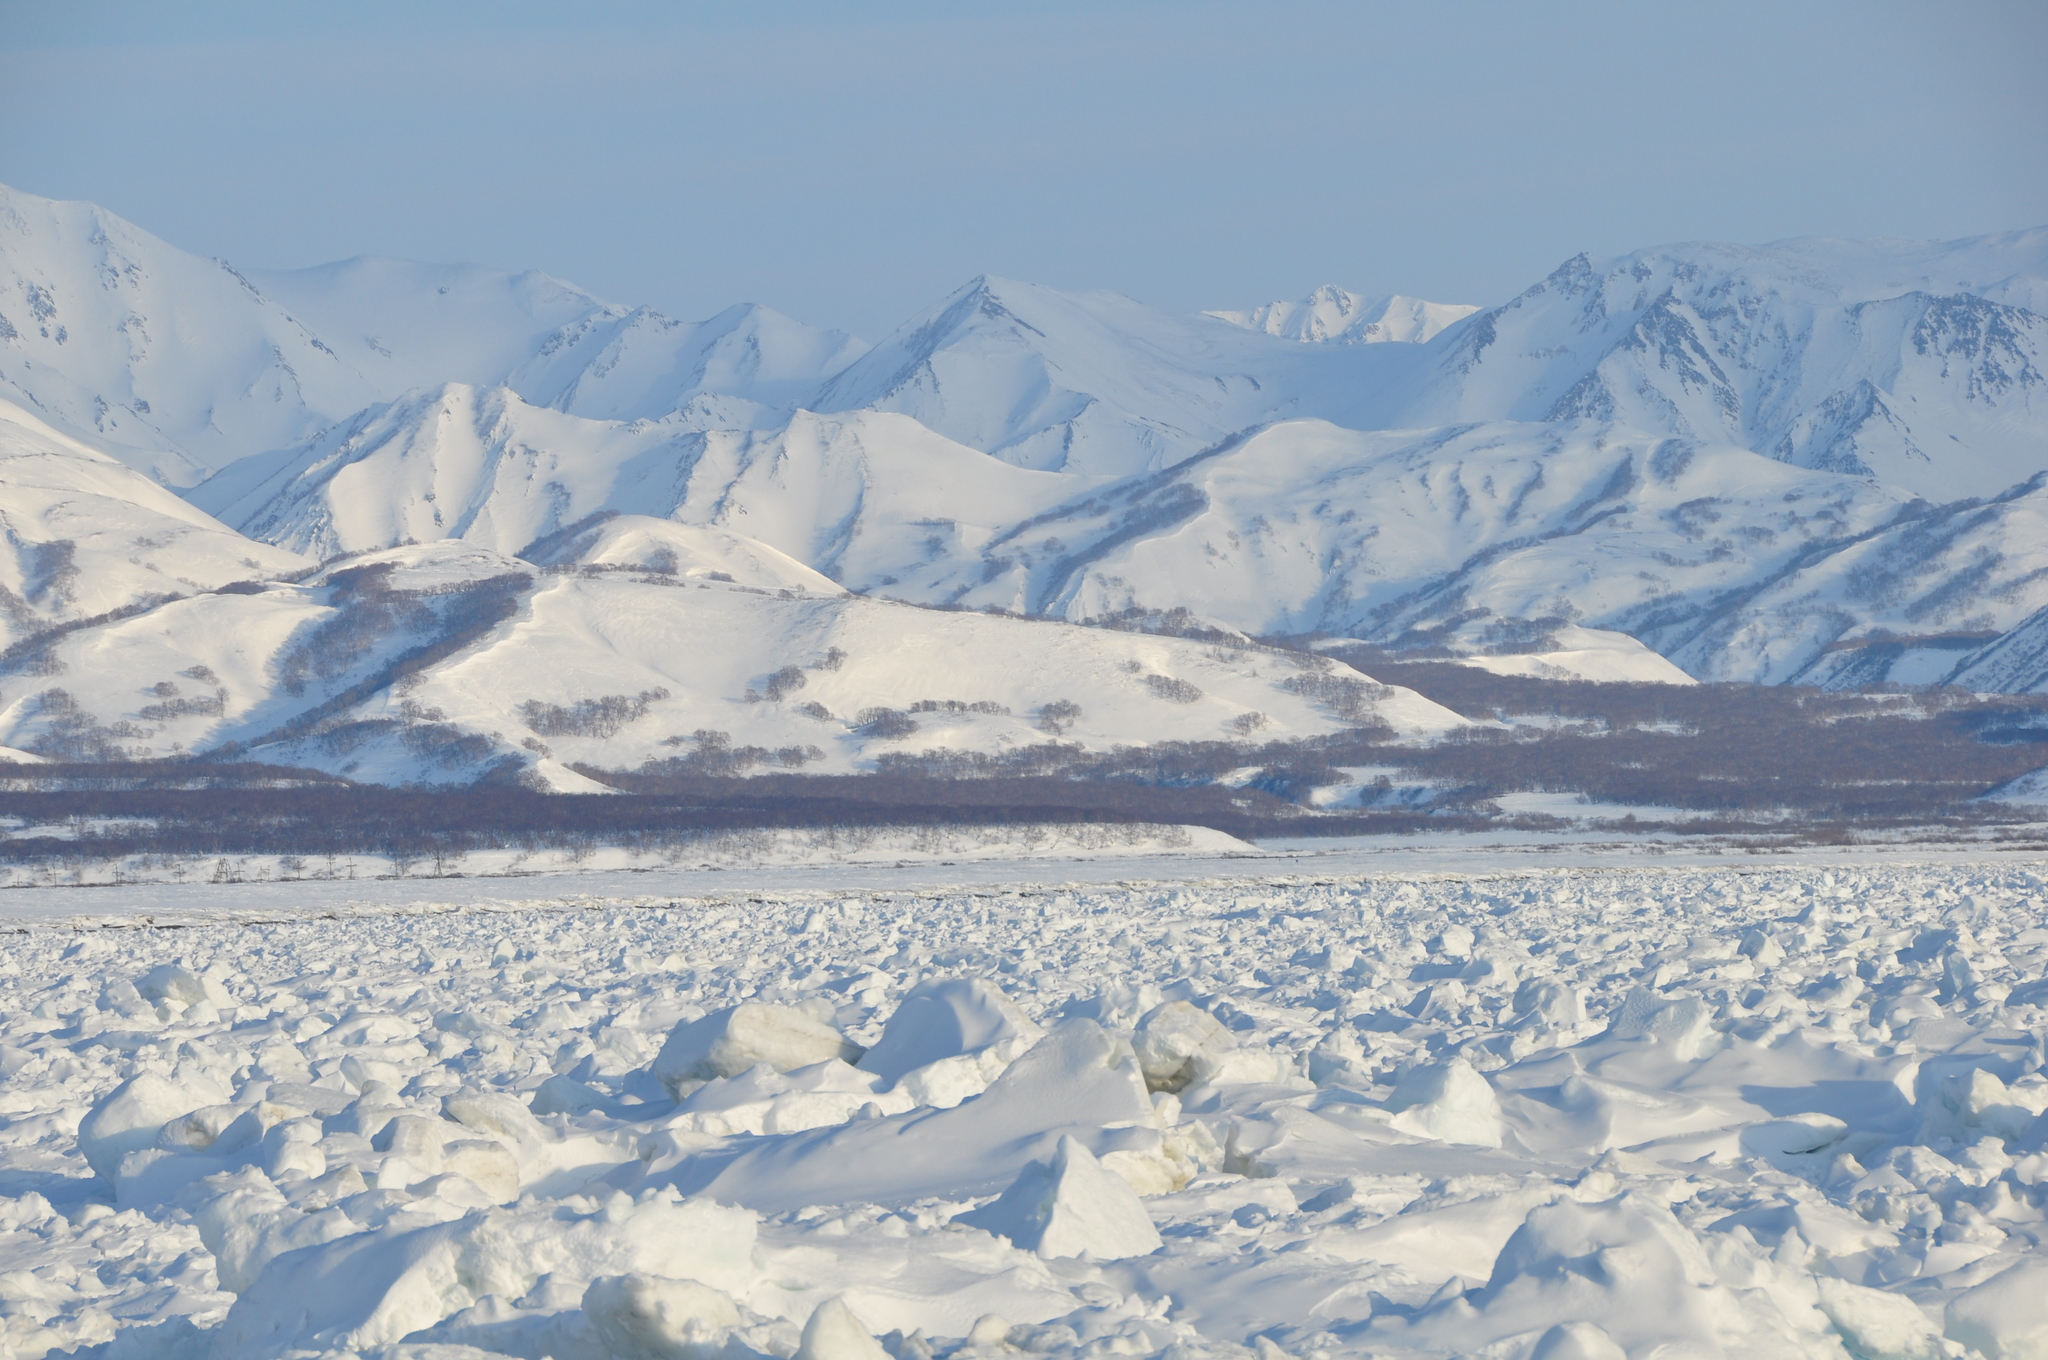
x=1072, y=1207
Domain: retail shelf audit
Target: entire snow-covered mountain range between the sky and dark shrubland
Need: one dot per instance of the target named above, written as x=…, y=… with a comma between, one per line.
x=1814, y=462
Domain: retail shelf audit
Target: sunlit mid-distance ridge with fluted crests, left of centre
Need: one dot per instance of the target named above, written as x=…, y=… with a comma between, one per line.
x=865, y=499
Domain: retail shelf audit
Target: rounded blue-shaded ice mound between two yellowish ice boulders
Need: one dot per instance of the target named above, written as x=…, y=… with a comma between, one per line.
x=949, y=1039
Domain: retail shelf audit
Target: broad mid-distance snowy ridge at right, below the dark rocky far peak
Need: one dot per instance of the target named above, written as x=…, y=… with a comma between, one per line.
x=1730, y=564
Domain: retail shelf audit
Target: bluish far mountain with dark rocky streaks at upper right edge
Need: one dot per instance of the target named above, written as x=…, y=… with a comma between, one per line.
x=1914, y=364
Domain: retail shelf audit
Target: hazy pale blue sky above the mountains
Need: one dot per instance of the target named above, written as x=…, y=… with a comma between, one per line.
x=853, y=163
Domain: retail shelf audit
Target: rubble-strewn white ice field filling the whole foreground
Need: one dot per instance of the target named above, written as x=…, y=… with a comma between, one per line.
x=1709, y=1111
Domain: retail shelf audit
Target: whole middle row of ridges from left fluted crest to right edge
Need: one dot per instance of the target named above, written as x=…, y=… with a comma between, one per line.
x=1730, y=564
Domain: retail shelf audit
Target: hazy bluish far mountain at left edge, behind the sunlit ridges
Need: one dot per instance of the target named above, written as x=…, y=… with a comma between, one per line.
x=181, y=366
